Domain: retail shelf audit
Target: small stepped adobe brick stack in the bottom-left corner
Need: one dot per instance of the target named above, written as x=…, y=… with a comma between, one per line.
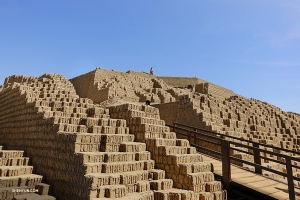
x=16, y=178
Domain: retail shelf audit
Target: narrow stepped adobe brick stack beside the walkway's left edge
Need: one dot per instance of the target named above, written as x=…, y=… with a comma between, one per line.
x=180, y=161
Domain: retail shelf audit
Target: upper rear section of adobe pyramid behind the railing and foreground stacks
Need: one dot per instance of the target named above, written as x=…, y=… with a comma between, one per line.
x=201, y=104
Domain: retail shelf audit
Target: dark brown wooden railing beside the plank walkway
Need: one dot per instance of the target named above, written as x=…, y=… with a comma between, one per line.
x=227, y=144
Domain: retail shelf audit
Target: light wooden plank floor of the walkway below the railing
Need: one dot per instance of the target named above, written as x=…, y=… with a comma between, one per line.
x=251, y=185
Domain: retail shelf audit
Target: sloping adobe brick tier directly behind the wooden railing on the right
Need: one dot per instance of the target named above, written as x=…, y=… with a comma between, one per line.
x=240, y=117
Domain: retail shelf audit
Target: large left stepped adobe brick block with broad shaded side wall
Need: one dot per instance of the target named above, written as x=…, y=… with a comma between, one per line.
x=82, y=152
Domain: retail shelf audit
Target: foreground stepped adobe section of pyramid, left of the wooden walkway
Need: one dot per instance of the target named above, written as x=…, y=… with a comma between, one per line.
x=83, y=153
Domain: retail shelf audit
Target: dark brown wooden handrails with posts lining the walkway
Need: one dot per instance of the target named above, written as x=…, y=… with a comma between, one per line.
x=225, y=149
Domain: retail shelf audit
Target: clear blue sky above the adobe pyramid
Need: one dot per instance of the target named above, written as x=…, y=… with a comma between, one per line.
x=251, y=47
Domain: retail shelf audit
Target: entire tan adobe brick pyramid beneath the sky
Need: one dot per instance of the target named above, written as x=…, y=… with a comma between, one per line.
x=91, y=138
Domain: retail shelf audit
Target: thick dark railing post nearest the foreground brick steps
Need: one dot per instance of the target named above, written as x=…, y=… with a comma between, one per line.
x=226, y=171
